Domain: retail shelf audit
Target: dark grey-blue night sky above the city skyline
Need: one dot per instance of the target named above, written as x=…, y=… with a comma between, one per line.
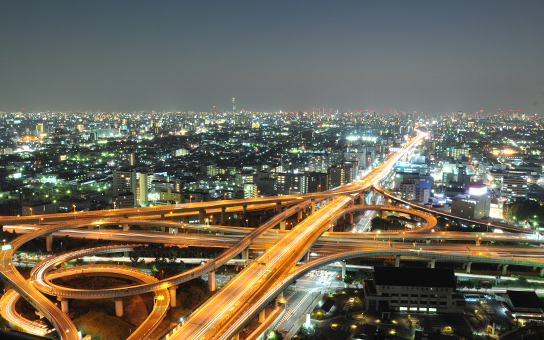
x=431, y=56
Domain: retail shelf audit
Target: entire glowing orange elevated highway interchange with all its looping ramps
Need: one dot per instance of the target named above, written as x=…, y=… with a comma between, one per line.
x=281, y=251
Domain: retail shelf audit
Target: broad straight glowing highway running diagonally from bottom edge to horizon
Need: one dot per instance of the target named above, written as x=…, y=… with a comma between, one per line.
x=216, y=316
